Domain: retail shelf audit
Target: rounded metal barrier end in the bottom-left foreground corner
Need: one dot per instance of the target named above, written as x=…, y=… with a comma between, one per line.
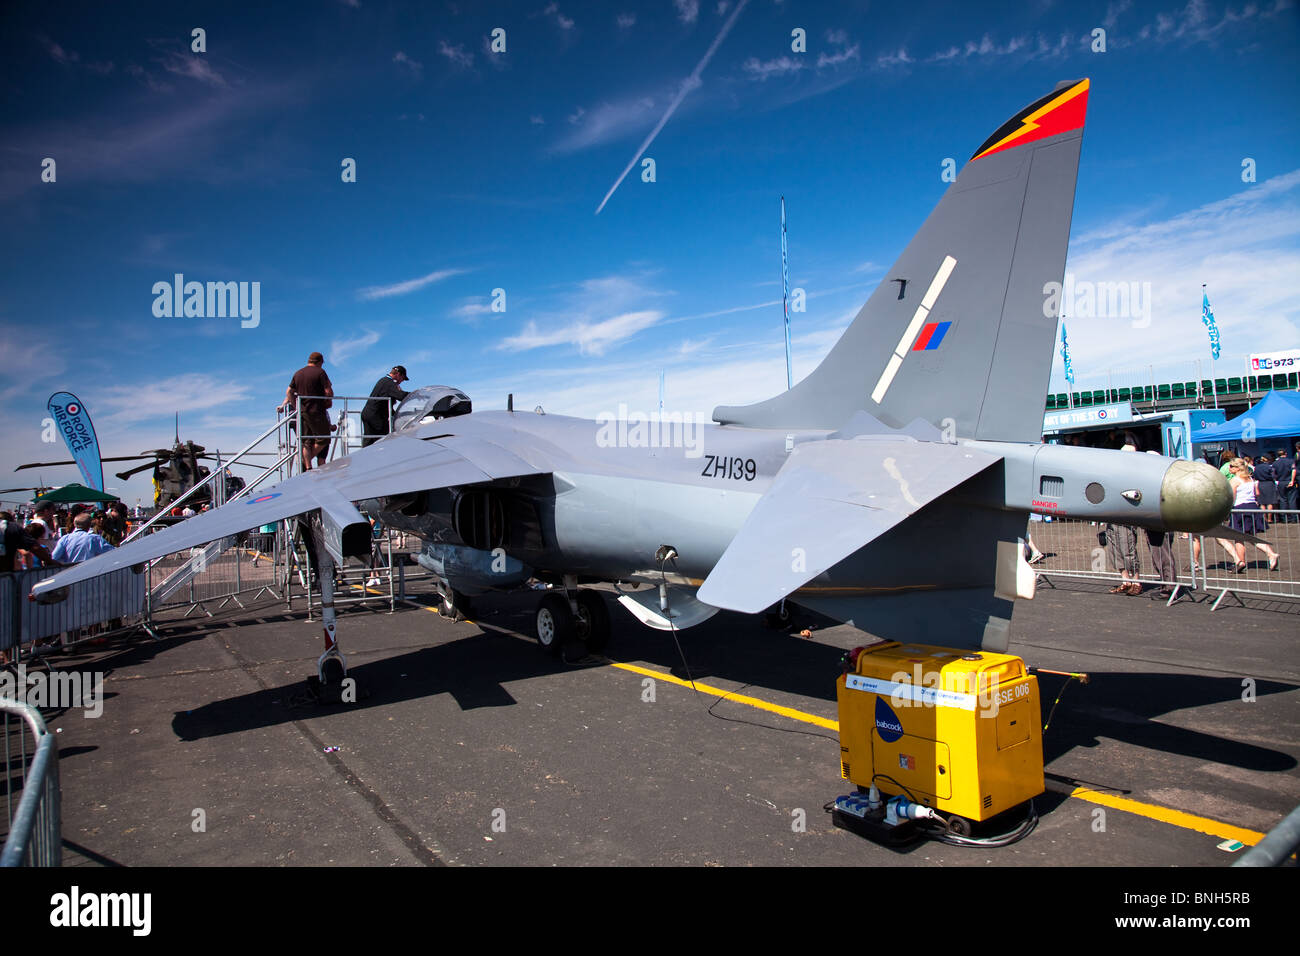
x=34, y=828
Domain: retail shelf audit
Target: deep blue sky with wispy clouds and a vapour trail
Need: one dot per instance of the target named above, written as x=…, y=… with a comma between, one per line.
x=480, y=171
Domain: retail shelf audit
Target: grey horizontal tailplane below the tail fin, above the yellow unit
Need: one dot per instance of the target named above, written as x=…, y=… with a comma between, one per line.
x=827, y=501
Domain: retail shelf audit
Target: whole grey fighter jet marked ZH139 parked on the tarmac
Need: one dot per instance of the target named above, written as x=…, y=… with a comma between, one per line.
x=890, y=488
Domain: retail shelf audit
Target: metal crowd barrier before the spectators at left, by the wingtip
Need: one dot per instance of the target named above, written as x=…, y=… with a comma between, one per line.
x=116, y=599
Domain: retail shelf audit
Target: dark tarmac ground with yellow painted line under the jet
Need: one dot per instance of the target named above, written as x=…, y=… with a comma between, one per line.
x=470, y=746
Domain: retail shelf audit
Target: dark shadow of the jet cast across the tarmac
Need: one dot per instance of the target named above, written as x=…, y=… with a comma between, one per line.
x=736, y=648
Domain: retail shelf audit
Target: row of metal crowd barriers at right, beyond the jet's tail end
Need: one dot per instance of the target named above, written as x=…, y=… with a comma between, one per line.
x=1204, y=563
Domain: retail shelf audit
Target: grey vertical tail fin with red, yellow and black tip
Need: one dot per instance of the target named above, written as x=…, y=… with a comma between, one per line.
x=963, y=330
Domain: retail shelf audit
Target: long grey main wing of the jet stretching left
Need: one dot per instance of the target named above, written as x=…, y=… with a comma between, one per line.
x=396, y=466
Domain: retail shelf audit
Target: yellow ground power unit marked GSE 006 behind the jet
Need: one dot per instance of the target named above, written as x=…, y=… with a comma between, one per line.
x=956, y=730
